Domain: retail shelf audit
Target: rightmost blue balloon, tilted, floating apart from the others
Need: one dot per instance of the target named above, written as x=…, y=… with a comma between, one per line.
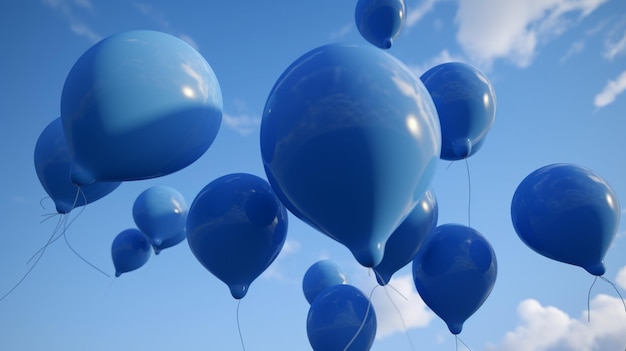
x=567, y=213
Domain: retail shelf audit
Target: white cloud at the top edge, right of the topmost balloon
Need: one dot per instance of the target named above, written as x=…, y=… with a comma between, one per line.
x=512, y=30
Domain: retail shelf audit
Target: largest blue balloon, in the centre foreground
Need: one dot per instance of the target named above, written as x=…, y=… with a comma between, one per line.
x=350, y=140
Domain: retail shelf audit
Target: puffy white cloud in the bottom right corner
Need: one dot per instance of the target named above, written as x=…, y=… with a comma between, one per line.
x=547, y=328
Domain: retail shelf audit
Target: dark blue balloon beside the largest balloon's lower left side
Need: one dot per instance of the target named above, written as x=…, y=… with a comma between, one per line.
x=236, y=227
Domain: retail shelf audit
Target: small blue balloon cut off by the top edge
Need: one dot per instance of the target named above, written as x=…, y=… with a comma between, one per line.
x=380, y=21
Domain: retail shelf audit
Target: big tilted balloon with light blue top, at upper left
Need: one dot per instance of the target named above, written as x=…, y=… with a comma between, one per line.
x=137, y=105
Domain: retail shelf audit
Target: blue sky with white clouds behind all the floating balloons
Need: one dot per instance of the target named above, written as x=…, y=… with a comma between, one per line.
x=559, y=72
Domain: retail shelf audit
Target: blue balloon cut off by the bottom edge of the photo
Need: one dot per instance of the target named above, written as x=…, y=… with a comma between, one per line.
x=337, y=315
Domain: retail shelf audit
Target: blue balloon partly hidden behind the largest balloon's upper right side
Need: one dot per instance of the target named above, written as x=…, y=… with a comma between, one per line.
x=466, y=105
